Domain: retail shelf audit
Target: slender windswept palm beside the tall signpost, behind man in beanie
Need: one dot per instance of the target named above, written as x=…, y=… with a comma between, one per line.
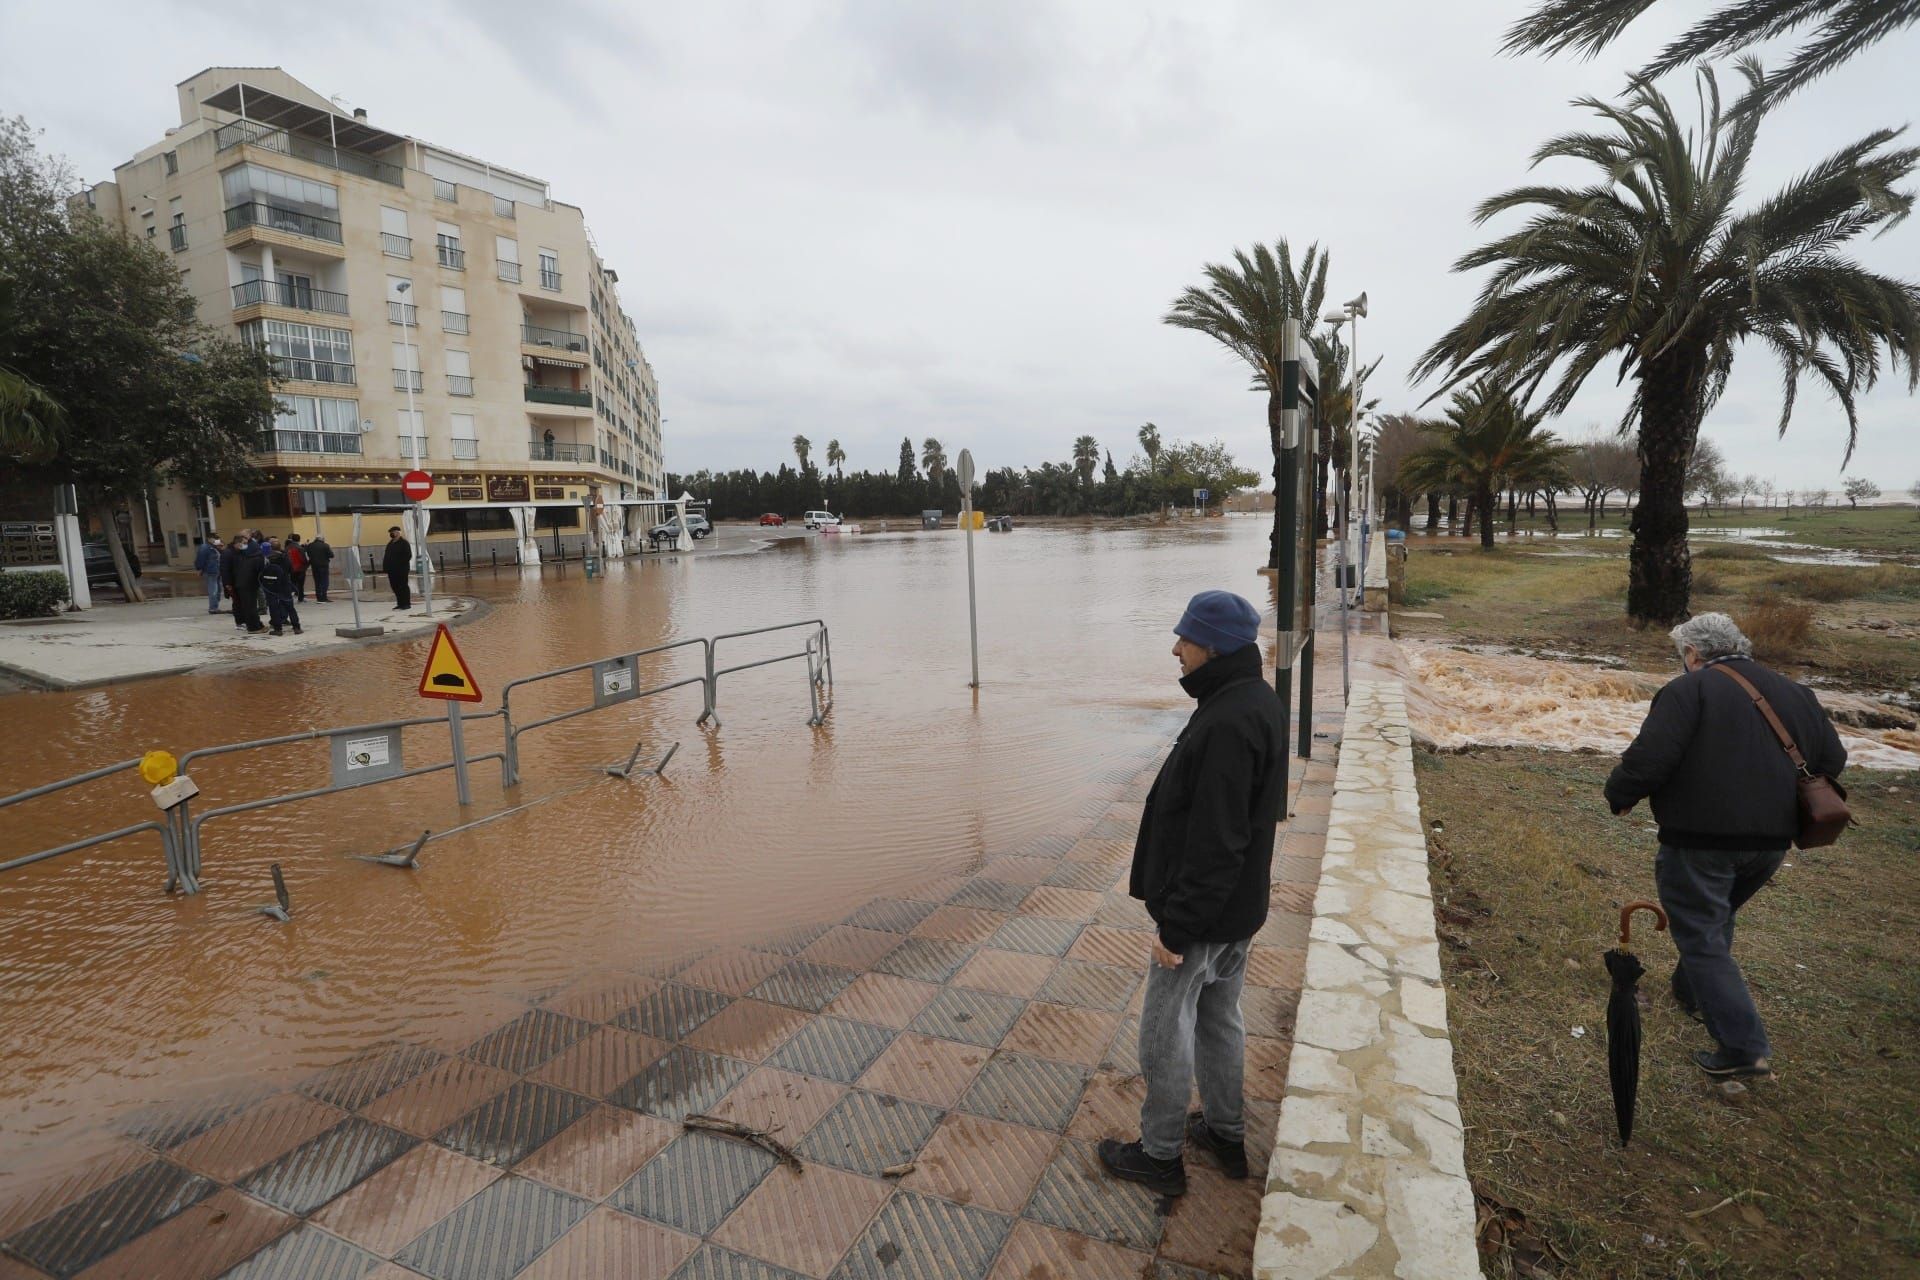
x=1245, y=308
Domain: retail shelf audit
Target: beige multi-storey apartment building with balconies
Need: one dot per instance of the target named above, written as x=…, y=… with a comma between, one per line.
x=425, y=310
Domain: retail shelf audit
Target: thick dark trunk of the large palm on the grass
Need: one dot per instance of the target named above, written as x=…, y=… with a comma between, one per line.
x=1660, y=577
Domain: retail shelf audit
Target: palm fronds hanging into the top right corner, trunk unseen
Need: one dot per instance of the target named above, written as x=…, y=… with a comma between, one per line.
x=1844, y=28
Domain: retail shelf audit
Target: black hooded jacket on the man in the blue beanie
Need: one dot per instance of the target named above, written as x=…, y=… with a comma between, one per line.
x=1205, y=857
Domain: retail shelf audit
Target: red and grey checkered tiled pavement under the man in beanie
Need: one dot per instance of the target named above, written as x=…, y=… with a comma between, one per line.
x=974, y=1031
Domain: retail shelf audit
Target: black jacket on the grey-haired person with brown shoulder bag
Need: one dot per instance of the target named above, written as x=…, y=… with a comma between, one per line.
x=1716, y=770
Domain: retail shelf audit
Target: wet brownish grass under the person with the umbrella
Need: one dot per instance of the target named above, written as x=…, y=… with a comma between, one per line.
x=1819, y=1170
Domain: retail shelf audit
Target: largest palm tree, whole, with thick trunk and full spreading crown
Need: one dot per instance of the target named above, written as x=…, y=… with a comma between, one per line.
x=1652, y=266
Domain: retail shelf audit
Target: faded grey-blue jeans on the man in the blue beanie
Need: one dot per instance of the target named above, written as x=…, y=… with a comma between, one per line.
x=1191, y=1033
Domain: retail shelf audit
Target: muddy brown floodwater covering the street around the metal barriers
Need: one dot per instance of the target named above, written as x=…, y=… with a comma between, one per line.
x=120, y=999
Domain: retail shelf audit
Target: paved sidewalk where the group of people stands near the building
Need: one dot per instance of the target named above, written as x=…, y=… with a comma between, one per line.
x=114, y=644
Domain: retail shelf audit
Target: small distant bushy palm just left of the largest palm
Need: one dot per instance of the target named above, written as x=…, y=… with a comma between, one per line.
x=1485, y=446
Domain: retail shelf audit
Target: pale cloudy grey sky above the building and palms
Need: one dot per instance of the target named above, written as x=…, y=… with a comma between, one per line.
x=871, y=220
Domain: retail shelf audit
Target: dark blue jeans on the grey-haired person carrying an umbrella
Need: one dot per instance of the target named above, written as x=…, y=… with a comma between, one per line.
x=1702, y=889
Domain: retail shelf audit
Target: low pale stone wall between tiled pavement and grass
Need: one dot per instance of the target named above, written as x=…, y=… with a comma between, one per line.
x=1368, y=1175
